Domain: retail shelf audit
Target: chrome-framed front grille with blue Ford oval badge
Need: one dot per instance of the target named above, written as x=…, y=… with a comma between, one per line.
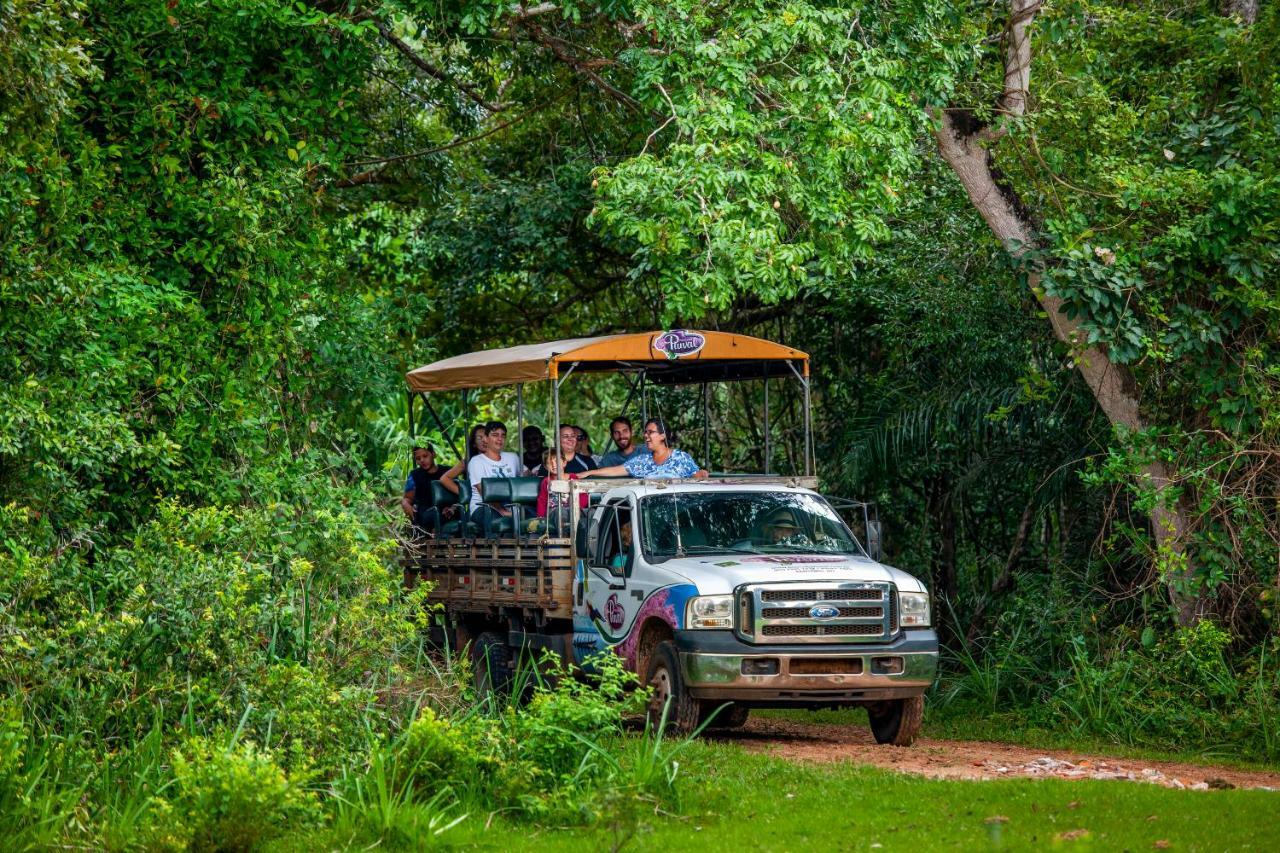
x=848, y=613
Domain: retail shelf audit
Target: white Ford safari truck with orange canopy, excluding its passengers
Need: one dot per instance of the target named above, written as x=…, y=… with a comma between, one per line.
x=724, y=595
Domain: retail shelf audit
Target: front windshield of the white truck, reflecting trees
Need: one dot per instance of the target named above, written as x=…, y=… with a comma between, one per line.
x=702, y=523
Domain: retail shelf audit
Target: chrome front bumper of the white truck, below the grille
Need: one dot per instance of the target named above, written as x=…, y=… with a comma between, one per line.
x=719, y=667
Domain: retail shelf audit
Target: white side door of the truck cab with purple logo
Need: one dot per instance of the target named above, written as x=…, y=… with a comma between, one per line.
x=616, y=583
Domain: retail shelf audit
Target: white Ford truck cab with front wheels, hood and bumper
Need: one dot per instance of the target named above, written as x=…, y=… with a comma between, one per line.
x=729, y=596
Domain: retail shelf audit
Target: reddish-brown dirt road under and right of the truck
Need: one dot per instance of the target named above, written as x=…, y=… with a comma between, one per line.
x=979, y=760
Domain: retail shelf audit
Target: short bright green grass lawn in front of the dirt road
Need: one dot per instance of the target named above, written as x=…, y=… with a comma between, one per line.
x=733, y=800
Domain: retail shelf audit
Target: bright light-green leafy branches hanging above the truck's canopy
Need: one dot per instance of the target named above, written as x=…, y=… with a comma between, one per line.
x=792, y=136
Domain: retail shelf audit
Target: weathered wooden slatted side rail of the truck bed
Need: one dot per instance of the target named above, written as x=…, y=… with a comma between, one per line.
x=482, y=574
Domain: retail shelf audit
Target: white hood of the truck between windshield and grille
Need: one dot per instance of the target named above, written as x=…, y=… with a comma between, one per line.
x=721, y=574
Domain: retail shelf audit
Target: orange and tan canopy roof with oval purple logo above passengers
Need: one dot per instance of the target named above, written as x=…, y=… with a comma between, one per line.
x=671, y=357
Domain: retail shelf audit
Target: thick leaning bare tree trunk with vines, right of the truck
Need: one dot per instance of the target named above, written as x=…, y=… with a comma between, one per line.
x=1113, y=385
